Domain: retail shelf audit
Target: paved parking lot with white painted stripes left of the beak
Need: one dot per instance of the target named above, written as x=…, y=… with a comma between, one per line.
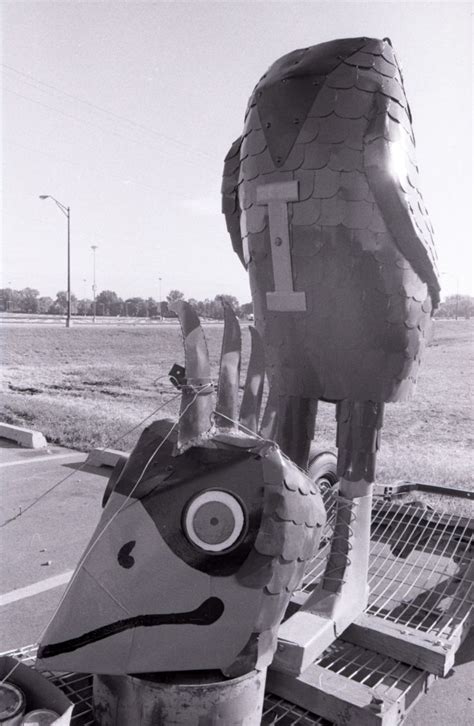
x=41, y=547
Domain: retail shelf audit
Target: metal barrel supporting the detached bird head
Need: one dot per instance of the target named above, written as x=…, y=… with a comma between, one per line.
x=179, y=700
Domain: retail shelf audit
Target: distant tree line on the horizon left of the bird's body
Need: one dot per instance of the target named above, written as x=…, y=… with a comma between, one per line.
x=108, y=303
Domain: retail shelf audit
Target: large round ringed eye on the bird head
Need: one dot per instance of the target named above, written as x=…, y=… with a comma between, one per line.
x=214, y=520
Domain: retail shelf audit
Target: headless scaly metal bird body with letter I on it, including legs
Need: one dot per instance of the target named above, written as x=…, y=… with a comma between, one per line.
x=322, y=203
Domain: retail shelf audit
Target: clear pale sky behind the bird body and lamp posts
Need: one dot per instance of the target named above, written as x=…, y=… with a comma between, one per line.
x=124, y=111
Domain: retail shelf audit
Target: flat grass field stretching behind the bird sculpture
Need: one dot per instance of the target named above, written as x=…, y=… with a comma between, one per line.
x=88, y=386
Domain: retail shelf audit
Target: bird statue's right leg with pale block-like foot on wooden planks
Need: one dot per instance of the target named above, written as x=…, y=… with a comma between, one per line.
x=342, y=593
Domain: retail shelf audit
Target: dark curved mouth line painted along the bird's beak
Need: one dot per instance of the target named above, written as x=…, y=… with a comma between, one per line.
x=206, y=614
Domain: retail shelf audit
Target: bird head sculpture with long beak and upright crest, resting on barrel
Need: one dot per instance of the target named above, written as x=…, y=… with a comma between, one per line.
x=202, y=540
